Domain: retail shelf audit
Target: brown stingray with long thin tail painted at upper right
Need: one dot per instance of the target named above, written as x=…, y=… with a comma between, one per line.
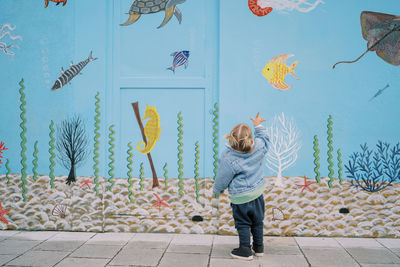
x=382, y=31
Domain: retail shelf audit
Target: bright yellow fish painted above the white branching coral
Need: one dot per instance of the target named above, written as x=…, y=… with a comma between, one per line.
x=276, y=70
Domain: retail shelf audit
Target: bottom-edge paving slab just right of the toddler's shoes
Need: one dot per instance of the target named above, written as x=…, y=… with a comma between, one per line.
x=283, y=261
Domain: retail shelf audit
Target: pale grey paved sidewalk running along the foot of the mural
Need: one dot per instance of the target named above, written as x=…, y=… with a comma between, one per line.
x=66, y=249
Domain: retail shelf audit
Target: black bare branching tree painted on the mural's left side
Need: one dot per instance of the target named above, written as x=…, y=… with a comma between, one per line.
x=71, y=145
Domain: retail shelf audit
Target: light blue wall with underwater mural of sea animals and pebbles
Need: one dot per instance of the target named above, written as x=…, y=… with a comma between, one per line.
x=116, y=122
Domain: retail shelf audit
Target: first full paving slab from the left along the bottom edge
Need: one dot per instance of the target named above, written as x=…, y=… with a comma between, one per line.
x=39, y=258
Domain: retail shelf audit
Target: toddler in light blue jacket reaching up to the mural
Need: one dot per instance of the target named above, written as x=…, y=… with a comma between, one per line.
x=241, y=170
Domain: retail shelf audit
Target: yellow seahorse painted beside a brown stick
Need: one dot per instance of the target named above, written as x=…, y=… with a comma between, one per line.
x=152, y=130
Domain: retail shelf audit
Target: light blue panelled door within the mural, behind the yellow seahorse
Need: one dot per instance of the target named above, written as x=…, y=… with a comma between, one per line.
x=142, y=69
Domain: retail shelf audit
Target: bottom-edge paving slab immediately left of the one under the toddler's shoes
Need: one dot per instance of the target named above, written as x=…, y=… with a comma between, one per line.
x=183, y=259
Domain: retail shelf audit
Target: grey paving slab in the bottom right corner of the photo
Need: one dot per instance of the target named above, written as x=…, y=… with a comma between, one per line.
x=373, y=256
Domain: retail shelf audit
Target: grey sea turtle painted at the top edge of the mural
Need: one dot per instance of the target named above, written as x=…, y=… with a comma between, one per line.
x=140, y=7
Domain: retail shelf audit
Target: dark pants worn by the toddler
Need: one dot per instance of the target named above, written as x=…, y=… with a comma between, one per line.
x=249, y=217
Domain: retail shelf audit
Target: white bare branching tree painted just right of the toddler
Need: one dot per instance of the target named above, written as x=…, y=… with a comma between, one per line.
x=284, y=145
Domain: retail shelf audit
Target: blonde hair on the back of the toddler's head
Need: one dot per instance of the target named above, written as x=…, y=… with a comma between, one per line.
x=241, y=138
